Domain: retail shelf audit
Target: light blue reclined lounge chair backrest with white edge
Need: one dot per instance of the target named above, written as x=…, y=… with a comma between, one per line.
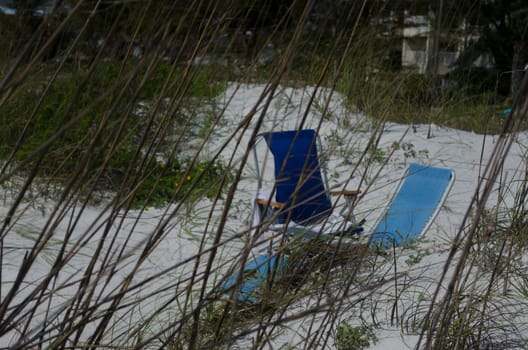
x=414, y=206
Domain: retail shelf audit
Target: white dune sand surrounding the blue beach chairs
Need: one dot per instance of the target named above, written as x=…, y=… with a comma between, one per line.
x=344, y=136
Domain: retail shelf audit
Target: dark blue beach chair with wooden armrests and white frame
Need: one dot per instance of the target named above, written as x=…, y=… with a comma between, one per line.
x=302, y=201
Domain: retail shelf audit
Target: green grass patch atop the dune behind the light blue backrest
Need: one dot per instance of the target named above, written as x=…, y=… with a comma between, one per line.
x=468, y=102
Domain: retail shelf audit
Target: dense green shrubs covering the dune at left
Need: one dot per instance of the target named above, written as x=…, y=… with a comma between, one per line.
x=109, y=133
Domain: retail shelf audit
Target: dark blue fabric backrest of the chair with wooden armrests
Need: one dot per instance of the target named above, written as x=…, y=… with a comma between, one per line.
x=299, y=182
